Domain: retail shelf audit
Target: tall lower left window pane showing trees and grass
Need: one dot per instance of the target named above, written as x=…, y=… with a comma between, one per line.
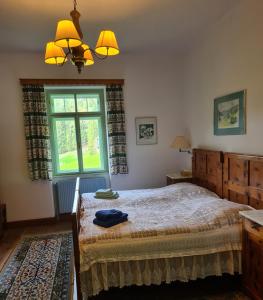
x=66, y=145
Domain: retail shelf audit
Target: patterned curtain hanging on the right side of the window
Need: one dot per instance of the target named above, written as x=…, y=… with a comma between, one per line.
x=116, y=130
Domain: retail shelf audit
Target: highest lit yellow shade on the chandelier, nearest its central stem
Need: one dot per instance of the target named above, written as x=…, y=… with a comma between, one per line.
x=67, y=35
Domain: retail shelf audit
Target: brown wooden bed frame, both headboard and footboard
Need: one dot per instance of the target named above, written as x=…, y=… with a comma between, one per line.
x=236, y=177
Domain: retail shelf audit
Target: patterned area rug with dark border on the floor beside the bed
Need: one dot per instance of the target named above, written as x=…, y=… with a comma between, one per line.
x=39, y=268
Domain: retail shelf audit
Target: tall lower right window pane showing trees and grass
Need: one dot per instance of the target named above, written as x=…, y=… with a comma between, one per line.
x=91, y=142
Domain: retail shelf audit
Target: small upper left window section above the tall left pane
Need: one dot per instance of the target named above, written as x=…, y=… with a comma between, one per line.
x=62, y=103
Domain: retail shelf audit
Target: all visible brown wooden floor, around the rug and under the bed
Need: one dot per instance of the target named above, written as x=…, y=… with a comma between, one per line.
x=222, y=288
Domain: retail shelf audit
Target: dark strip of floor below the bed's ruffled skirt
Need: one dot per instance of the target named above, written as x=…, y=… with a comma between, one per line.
x=212, y=288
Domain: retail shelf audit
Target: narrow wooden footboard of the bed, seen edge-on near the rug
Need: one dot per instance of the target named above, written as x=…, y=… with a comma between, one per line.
x=75, y=216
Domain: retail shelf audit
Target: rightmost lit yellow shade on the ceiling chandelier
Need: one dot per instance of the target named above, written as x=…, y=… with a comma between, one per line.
x=107, y=44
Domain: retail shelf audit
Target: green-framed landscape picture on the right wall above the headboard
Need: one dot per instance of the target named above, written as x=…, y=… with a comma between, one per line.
x=230, y=114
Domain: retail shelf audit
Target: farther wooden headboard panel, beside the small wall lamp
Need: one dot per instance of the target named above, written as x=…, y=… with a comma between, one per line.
x=207, y=169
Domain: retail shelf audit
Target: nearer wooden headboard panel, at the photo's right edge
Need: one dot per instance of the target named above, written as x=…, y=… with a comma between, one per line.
x=243, y=179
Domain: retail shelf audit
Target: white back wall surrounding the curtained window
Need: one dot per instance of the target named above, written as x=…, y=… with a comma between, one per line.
x=152, y=88
